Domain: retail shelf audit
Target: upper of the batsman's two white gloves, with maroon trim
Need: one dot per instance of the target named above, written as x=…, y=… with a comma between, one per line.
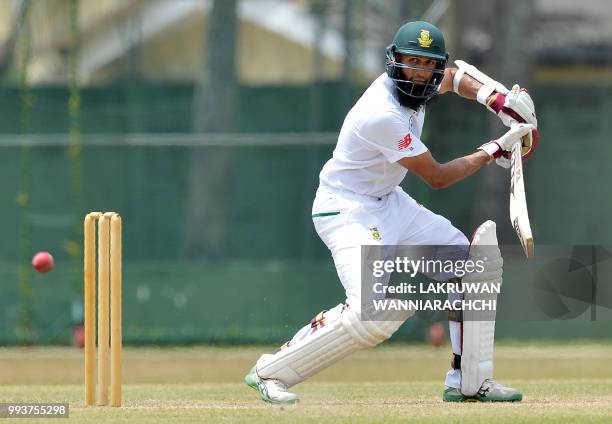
x=516, y=106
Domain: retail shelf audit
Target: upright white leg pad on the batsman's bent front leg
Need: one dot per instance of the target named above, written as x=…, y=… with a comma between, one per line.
x=479, y=331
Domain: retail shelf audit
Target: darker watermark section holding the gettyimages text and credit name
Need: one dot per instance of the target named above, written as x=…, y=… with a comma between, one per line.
x=429, y=278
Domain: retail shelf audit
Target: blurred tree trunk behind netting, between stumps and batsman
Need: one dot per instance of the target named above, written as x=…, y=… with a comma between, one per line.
x=214, y=111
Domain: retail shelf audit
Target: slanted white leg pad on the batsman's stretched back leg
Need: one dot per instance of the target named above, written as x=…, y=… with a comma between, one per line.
x=324, y=347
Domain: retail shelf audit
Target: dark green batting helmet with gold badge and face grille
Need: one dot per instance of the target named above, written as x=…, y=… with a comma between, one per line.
x=417, y=39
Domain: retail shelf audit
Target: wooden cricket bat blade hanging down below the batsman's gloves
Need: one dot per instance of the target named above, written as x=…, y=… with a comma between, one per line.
x=519, y=216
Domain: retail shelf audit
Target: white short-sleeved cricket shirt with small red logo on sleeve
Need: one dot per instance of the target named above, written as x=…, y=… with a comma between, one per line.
x=376, y=133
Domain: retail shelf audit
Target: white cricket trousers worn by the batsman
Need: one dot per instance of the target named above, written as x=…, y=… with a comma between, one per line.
x=346, y=220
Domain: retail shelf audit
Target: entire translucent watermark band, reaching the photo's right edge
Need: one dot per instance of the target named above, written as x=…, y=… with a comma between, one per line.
x=562, y=282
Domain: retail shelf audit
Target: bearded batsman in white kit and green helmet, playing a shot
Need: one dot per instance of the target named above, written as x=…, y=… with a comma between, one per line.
x=359, y=202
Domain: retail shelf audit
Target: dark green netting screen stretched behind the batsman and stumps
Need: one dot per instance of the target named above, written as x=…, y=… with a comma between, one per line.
x=271, y=273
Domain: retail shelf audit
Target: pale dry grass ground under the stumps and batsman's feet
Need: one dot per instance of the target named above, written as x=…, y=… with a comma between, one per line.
x=570, y=382
